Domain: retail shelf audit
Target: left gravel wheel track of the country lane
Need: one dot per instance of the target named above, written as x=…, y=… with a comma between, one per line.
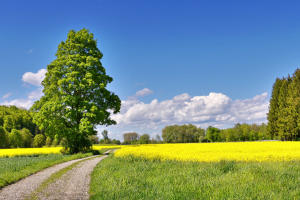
x=23, y=188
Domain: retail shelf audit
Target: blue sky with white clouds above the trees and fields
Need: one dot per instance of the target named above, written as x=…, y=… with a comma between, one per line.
x=218, y=57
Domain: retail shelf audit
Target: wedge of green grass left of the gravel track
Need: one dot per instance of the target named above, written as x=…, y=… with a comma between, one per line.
x=15, y=168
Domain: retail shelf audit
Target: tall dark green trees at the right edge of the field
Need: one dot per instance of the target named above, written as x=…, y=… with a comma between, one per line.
x=284, y=109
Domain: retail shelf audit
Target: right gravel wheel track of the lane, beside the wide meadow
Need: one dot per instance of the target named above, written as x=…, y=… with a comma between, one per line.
x=72, y=185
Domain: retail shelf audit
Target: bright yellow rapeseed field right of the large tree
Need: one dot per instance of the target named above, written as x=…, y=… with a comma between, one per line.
x=213, y=152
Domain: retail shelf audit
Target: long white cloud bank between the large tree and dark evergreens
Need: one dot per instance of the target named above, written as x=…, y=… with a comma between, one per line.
x=215, y=109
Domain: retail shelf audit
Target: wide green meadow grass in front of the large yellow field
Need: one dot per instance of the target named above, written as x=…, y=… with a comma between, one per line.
x=136, y=178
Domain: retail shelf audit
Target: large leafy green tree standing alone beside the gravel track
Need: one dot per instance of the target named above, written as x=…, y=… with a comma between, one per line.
x=75, y=96
